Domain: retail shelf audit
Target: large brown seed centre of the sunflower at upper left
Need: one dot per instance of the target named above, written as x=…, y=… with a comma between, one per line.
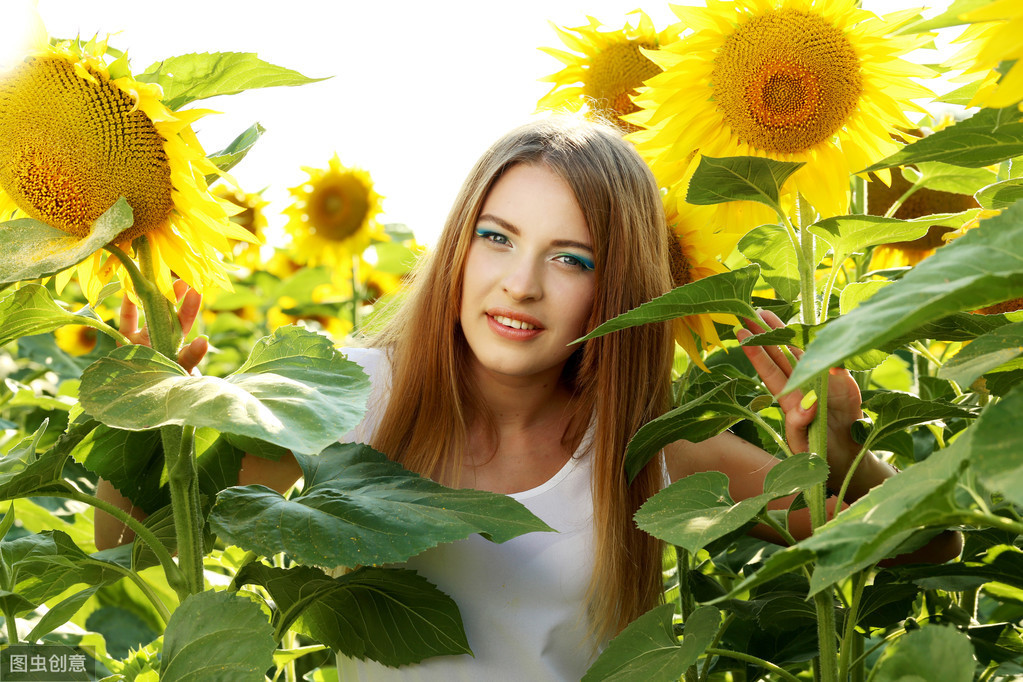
x=70, y=147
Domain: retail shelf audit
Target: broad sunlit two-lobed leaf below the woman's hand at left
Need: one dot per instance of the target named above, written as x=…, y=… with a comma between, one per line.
x=295, y=391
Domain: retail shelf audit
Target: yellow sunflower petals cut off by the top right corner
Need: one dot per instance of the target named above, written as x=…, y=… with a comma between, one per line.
x=993, y=38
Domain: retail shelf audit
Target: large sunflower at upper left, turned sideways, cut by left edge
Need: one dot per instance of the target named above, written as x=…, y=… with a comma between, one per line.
x=78, y=131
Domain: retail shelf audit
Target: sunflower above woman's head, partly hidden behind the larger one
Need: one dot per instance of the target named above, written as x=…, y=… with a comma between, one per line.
x=606, y=69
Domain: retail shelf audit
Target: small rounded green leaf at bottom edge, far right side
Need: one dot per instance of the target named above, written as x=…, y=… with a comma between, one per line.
x=933, y=653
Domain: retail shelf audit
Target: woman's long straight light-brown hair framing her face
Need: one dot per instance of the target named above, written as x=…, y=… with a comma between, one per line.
x=624, y=379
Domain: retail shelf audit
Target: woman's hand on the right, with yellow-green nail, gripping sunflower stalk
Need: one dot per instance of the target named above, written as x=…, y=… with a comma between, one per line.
x=775, y=369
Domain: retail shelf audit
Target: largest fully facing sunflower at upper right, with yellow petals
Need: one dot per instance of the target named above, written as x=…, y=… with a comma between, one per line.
x=820, y=82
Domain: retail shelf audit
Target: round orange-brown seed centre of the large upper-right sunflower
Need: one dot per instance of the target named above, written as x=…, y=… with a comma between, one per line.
x=786, y=81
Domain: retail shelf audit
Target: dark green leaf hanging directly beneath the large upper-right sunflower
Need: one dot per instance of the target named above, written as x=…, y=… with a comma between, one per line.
x=739, y=179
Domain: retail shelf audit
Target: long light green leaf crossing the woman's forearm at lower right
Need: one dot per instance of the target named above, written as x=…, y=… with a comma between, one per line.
x=879, y=523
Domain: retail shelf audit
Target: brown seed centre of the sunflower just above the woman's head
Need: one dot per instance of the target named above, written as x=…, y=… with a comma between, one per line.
x=614, y=74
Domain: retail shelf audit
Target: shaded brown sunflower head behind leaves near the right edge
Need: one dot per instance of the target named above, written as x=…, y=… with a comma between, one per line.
x=924, y=202
